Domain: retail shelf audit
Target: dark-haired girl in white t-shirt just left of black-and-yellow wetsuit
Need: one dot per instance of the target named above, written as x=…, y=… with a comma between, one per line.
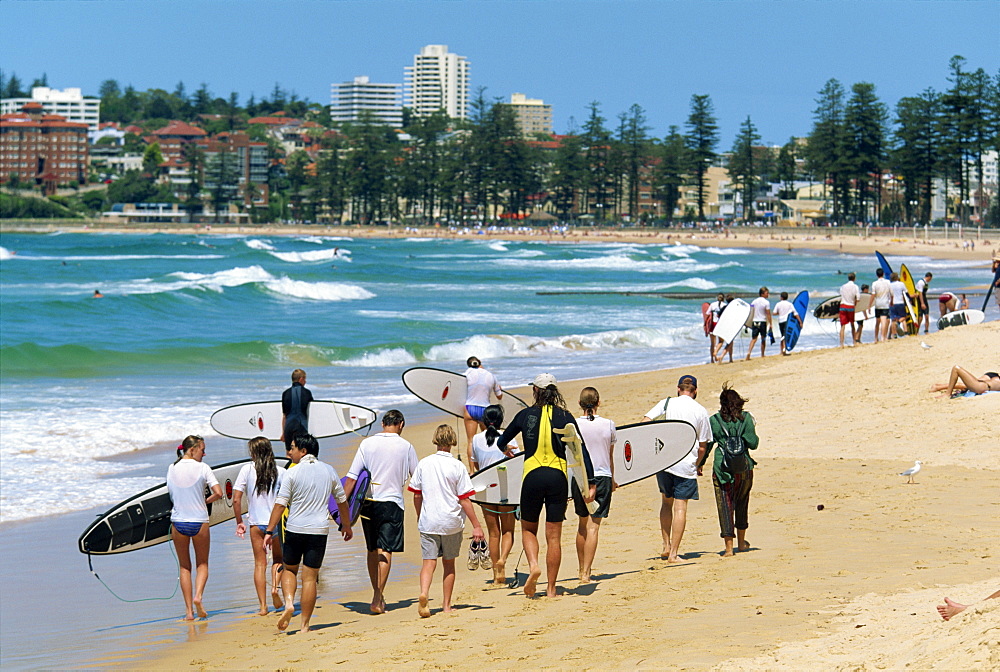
x=500, y=522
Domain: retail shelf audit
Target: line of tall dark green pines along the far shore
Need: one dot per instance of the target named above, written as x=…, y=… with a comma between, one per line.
x=465, y=170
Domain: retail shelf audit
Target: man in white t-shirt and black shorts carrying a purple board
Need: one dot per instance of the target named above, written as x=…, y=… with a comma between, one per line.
x=390, y=459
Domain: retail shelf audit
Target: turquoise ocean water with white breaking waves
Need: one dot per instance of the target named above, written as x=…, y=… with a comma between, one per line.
x=189, y=324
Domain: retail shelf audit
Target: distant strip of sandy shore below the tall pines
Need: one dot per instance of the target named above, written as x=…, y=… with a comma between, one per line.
x=813, y=238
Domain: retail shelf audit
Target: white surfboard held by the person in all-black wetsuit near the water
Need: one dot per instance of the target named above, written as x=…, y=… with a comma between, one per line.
x=263, y=418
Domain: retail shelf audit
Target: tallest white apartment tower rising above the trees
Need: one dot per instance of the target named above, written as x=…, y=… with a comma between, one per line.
x=437, y=80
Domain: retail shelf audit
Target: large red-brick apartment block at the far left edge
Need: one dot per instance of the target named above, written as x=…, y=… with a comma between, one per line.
x=42, y=149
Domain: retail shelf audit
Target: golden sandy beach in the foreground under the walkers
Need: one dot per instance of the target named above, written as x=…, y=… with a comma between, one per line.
x=851, y=586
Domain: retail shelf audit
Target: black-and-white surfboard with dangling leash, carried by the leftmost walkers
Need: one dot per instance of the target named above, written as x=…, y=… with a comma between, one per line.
x=143, y=520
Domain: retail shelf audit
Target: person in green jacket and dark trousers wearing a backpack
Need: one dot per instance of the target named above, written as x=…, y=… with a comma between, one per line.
x=732, y=489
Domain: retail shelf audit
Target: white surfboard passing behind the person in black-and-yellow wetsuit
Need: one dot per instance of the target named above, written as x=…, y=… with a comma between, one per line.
x=641, y=450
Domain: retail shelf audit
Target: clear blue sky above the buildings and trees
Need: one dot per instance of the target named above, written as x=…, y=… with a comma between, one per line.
x=765, y=59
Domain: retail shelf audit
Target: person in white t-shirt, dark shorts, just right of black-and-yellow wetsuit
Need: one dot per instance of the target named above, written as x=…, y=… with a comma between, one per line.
x=599, y=436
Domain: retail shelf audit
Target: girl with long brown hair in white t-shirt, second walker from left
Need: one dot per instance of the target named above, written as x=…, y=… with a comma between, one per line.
x=259, y=481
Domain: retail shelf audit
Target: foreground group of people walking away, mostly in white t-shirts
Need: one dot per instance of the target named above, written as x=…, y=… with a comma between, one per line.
x=288, y=509
